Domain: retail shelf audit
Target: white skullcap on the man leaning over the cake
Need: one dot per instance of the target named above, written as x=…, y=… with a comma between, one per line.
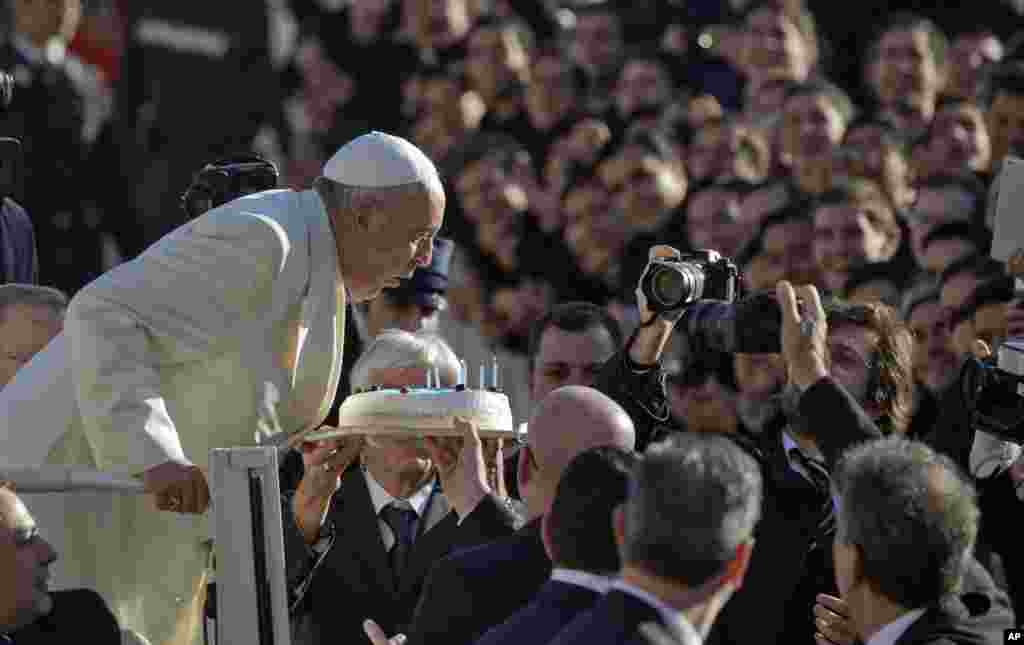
x=377, y=160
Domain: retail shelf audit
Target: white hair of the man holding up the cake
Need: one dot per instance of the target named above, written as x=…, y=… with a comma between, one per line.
x=397, y=349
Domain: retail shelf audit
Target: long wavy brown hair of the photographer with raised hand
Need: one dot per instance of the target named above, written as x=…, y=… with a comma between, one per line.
x=890, y=384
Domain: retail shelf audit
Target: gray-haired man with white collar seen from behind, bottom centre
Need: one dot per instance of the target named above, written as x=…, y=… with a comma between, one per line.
x=702, y=487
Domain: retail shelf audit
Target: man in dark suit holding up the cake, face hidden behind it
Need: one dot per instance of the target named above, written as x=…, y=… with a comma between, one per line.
x=364, y=537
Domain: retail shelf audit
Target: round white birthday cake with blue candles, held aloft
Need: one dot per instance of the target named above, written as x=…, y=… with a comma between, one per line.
x=422, y=412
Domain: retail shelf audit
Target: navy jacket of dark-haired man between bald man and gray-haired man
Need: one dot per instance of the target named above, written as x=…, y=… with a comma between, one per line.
x=556, y=607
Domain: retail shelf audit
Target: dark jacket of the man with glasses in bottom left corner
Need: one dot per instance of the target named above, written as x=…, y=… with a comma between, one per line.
x=79, y=616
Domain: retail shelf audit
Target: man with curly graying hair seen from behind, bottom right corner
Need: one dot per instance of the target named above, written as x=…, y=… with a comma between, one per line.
x=908, y=522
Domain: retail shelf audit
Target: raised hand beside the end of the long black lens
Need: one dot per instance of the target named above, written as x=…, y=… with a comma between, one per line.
x=804, y=334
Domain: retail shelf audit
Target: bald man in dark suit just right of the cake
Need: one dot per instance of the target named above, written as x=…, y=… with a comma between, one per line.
x=468, y=593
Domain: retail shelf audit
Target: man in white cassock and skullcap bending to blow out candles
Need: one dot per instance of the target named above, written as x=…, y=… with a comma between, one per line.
x=175, y=354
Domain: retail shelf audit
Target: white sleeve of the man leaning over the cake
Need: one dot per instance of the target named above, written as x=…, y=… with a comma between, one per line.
x=182, y=302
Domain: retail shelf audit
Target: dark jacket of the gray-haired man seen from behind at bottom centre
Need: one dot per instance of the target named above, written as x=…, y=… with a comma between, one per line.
x=616, y=619
